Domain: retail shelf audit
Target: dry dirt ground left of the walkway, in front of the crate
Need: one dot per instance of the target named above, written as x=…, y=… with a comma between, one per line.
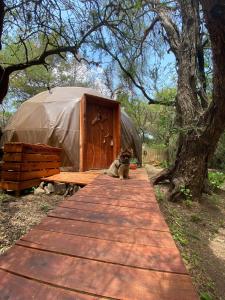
x=19, y=214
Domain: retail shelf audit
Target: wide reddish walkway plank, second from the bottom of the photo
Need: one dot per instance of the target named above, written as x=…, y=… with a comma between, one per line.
x=98, y=278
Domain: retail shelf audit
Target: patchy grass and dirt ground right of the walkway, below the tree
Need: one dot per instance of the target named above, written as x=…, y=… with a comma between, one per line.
x=199, y=231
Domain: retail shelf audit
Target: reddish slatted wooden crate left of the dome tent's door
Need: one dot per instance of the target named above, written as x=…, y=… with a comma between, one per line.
x=25, y=164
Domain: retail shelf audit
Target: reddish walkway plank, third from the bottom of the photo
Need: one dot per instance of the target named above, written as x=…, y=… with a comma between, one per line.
x=146, y=257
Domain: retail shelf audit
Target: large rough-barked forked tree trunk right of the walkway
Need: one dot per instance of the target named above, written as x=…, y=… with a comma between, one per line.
x=200, y=131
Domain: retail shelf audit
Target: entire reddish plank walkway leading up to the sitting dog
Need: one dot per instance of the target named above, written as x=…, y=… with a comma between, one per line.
x=108, y=241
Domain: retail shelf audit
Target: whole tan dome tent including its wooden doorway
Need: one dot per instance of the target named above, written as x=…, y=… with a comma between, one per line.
x=87, y=126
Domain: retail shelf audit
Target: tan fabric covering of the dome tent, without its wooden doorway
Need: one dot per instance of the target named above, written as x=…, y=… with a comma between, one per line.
x=57, y=113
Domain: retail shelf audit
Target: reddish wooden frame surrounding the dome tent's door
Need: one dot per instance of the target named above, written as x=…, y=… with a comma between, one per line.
x=115, y=105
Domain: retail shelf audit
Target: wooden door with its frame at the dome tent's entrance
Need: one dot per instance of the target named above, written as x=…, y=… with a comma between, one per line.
x=99, y=132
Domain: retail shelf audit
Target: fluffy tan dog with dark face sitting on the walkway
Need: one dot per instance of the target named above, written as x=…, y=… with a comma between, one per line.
x=120, y=167
